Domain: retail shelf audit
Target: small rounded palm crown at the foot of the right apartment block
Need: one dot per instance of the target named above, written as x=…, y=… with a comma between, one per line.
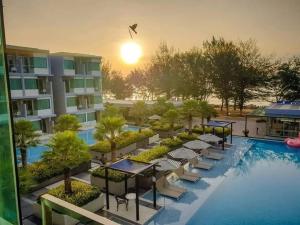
x=67, y=122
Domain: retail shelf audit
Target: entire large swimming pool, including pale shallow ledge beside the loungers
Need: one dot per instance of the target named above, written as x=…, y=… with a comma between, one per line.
x=262, y=188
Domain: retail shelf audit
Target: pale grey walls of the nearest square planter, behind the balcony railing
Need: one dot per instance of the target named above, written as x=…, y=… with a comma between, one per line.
x=62, y=219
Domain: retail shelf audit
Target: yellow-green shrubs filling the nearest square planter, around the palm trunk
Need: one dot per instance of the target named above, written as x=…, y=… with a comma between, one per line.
x=82, y=193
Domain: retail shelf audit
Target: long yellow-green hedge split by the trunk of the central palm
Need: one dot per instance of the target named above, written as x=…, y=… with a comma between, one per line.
x=123, y=140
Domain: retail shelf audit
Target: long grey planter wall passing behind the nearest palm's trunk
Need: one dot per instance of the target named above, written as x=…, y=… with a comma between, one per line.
x=81, y=168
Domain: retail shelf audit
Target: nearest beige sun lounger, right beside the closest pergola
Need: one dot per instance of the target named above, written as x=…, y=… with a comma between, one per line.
x=166, y=189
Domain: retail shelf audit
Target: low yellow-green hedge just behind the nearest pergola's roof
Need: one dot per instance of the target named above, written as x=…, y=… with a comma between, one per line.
x=153, y=153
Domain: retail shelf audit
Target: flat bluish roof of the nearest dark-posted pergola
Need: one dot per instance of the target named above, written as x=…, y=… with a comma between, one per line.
x=130, y=166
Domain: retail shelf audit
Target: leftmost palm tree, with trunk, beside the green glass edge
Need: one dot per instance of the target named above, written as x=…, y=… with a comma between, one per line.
x=25, y=137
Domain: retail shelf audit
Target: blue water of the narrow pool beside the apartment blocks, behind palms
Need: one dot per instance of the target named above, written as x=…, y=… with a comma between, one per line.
x=34, y=154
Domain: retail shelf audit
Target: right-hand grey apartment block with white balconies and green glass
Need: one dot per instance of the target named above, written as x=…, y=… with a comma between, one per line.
x=77, y=86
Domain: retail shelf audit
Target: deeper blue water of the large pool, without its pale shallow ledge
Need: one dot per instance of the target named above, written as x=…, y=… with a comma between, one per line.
x=264, y=189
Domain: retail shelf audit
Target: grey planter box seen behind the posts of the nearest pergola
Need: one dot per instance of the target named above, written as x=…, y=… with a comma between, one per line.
x=116, y=188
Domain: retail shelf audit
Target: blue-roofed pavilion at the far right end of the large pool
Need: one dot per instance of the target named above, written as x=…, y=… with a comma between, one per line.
x=282, y=119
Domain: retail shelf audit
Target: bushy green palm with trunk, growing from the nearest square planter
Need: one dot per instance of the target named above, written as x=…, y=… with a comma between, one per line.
x=67, y=152
